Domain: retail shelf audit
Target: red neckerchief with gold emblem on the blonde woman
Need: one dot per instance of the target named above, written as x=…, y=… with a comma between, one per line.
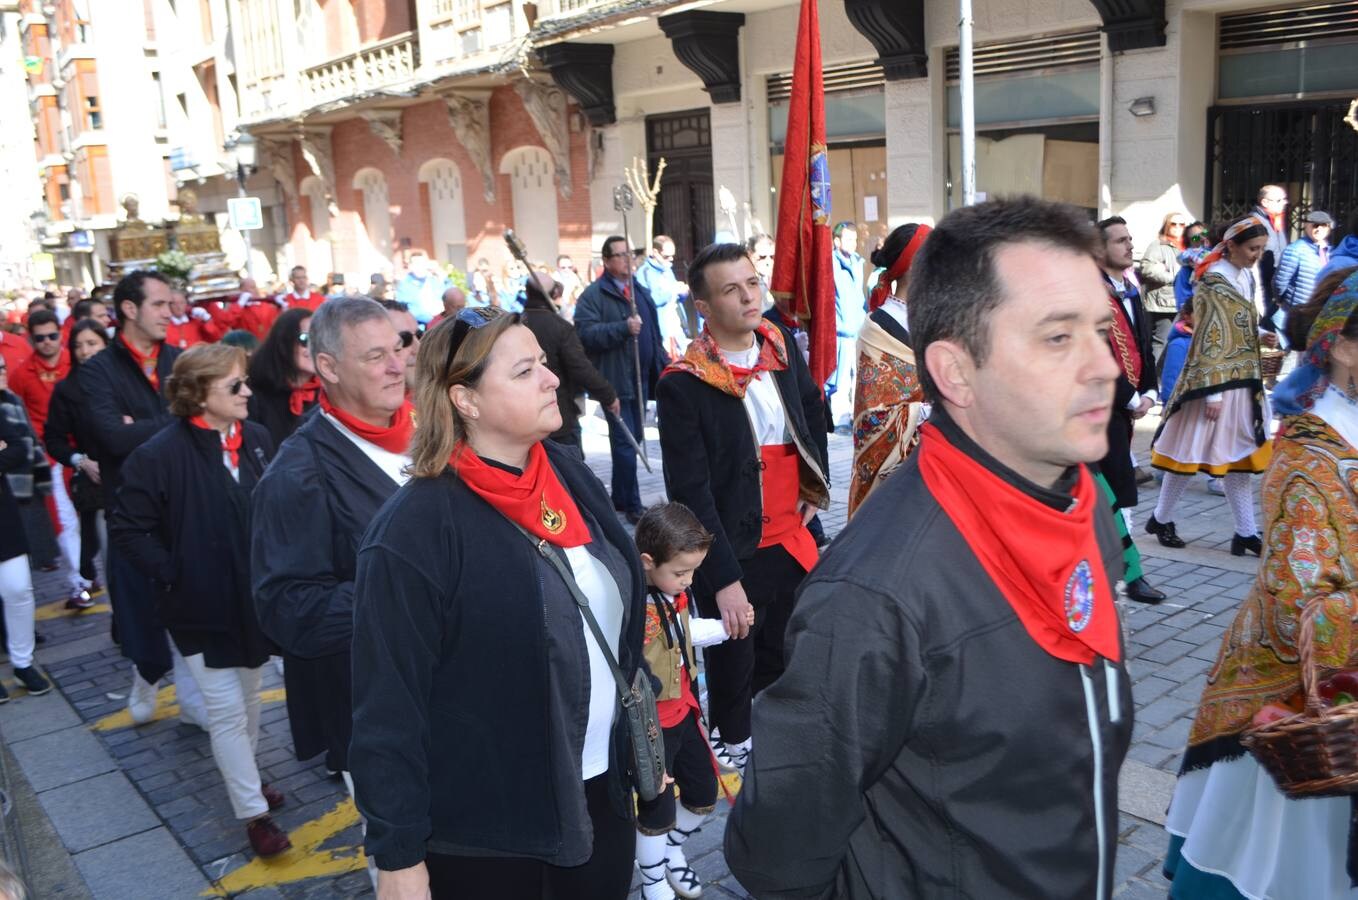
x=537, y=500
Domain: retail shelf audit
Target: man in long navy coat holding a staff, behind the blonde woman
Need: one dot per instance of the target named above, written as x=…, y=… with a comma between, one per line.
x=608, y=331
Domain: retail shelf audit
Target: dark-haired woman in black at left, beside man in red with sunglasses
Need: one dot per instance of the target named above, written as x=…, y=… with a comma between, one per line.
x=70, y=438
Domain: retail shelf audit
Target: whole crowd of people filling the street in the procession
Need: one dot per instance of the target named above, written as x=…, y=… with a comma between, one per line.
x=390, y=495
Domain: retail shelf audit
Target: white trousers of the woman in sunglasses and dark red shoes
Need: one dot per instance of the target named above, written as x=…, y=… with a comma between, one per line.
x=232, y=698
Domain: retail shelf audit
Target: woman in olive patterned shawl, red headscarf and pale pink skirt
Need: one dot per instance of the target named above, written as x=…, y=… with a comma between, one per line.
x=1217, y=419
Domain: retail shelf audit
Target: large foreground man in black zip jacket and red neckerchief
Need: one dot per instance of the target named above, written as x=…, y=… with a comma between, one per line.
x=955, y=708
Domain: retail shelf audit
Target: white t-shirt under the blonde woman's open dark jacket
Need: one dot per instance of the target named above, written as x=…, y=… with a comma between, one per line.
x=606, y=603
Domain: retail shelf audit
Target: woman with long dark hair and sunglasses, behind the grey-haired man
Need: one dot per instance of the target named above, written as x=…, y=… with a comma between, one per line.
x=283, y=377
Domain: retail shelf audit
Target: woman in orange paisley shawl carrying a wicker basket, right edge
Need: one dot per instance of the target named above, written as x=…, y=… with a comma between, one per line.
x=1232, y=831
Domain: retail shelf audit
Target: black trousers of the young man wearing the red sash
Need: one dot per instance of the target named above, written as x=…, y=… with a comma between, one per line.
x=739, y=670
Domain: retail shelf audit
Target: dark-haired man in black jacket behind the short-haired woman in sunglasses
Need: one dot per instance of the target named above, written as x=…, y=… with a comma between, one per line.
x=124, y=389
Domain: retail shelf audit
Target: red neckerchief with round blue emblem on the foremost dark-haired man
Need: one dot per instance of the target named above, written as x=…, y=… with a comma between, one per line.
x=1046, y=563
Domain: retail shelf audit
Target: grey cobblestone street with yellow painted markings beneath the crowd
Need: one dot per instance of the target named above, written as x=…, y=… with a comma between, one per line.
x=177, y=806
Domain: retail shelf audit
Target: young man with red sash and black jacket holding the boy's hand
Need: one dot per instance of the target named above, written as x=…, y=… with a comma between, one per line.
x=742, y=447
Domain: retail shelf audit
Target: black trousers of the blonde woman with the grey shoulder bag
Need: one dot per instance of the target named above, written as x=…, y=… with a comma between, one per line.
x=608, y=876
